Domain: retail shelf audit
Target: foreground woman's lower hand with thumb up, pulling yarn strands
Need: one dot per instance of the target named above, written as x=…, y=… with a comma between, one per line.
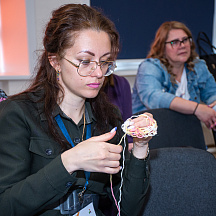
x=94, y=155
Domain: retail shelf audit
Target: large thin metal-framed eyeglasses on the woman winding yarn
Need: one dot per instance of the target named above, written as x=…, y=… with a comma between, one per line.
x=86, y=67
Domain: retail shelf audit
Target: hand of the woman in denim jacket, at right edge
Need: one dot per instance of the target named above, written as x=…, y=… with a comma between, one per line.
x=207, y=115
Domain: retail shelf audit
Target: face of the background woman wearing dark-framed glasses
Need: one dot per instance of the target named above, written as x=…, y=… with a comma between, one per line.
x=177, y=54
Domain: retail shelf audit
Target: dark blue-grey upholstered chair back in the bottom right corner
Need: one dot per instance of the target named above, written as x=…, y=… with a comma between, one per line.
x=182, y=183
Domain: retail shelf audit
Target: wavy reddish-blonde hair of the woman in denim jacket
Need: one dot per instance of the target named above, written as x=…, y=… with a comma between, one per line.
x=158, y=45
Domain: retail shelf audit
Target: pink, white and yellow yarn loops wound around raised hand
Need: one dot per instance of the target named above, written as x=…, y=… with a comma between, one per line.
x=150, y=130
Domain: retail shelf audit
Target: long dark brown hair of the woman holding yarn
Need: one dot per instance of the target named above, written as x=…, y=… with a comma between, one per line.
x=60, y=34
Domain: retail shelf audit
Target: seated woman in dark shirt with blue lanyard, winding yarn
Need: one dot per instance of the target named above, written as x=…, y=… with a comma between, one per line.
x=59, y=138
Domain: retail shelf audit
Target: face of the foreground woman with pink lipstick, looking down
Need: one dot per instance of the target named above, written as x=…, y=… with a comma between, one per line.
x=90, y=45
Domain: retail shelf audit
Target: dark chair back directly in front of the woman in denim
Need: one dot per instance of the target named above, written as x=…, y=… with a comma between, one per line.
x=176, y=130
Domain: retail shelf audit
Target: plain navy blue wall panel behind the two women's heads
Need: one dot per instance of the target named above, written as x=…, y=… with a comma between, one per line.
x=138, y=20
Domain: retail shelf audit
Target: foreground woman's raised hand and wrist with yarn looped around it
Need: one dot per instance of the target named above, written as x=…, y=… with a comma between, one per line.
x=140, y=146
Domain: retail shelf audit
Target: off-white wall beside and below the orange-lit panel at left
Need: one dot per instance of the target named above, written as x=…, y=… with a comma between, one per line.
x=38, y=13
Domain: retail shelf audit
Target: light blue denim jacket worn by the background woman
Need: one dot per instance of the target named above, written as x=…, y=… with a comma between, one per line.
x=153, y=88
